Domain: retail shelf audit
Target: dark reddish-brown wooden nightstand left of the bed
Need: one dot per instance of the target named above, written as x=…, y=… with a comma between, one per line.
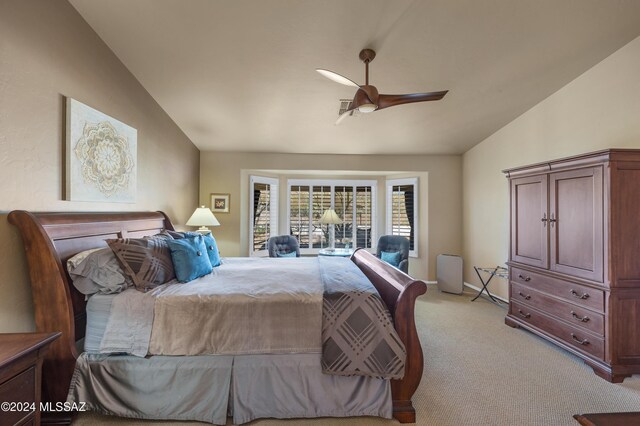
x=21, y=357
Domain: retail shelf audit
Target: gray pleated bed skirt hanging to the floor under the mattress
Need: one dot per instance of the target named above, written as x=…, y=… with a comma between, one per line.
x=208, y=388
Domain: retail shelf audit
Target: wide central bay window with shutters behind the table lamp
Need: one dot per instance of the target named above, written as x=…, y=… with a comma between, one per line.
x=353, y=201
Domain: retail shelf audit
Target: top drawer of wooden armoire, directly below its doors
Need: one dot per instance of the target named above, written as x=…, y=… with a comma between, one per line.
x=577, y=294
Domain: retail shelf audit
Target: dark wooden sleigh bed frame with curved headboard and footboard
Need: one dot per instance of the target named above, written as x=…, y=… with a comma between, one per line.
x=52, y=238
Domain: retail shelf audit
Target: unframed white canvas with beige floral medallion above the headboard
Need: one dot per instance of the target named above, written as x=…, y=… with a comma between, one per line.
x=101, y=156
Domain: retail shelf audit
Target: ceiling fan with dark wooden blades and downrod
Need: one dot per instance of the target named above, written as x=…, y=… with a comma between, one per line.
x=367, y=98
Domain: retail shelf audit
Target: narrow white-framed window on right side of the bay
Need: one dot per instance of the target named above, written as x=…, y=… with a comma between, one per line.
x=402, y=210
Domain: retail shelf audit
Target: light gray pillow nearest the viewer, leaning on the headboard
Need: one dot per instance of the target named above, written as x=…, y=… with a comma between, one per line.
x=97, y=271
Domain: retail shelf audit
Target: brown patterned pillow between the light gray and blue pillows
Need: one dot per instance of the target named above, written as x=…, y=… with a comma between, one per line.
x=146, y=260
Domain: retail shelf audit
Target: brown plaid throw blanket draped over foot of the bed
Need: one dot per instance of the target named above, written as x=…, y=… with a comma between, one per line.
x=358, y=337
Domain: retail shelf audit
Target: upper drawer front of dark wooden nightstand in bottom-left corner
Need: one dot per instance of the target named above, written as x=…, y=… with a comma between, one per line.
x=19, y=392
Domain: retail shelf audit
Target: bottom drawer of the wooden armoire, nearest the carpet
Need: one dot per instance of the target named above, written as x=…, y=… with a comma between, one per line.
x=574, y=336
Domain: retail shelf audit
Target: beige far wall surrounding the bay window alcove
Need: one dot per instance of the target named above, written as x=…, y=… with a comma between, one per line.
x=440, y=194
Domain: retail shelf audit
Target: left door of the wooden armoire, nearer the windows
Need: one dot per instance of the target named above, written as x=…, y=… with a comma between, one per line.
x=529, y=237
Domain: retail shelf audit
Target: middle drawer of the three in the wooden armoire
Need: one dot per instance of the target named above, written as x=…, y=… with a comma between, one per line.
x=573, y=314
